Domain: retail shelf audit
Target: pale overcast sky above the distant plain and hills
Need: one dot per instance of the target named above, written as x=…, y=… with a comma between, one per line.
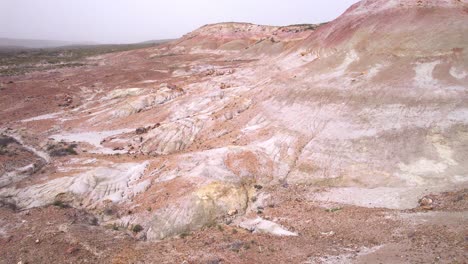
x=130, y=21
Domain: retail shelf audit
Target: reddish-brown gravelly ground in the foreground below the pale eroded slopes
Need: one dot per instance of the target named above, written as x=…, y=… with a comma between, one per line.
x=327, y=234
